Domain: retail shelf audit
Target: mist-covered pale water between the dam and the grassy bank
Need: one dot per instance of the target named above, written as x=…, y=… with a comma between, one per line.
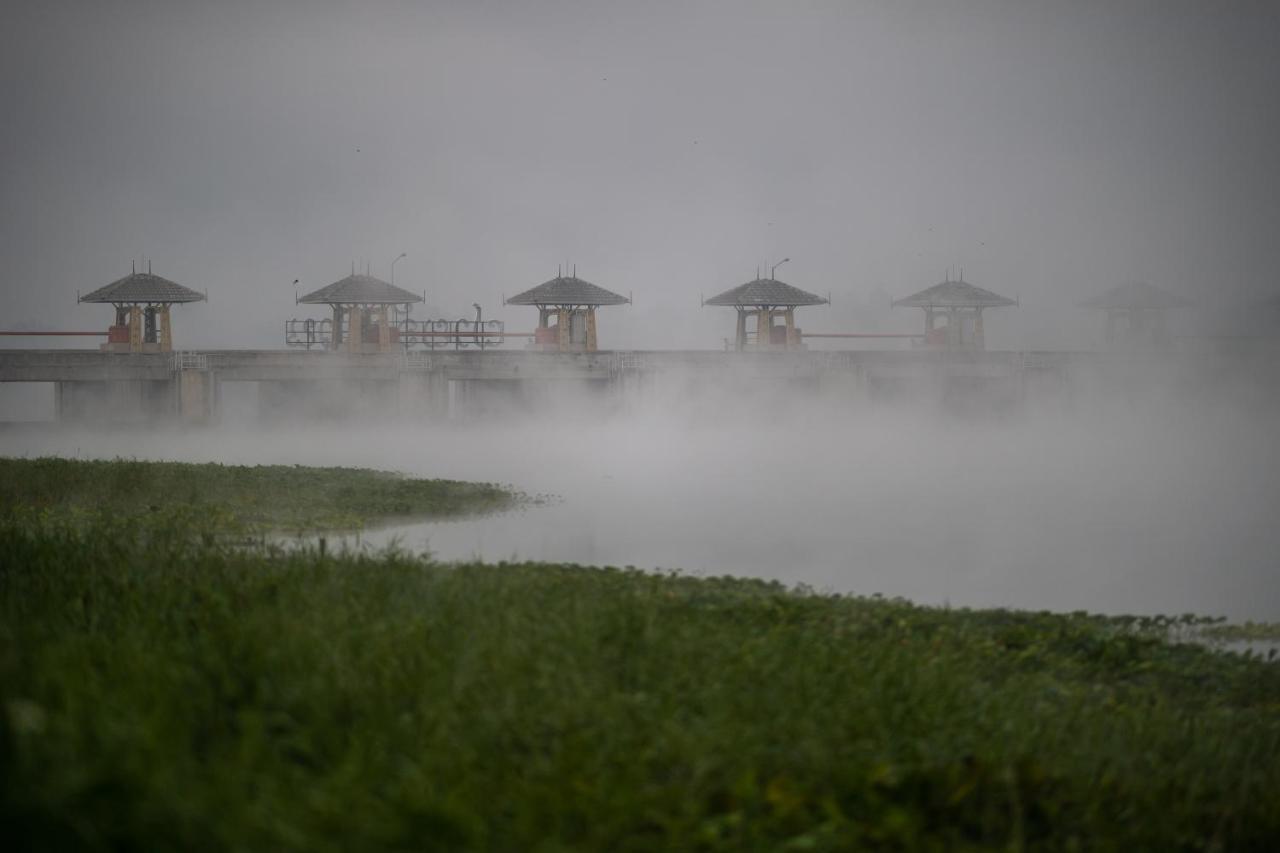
x=1159, y=504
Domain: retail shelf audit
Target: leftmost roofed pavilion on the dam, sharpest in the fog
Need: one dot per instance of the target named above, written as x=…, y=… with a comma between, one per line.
x=143, y=303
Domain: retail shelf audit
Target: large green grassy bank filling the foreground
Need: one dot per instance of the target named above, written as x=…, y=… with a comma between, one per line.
x=173, y=691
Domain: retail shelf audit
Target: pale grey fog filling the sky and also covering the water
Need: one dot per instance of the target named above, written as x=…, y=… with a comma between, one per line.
x=670, y=150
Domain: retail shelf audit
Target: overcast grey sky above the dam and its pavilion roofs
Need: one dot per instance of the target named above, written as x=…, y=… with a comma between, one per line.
x=1052, y=149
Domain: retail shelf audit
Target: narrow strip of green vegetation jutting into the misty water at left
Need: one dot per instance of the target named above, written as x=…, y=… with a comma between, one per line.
x=266, y=496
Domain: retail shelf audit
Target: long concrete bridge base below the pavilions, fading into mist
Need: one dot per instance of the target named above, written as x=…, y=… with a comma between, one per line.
x=112, y=387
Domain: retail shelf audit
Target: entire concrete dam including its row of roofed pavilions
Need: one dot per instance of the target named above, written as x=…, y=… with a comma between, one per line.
x=371, y=361
